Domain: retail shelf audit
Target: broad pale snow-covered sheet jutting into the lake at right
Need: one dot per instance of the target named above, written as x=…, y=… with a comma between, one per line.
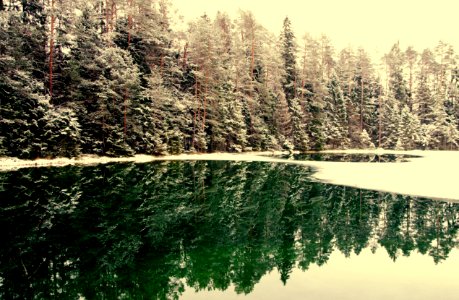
x=433, y=175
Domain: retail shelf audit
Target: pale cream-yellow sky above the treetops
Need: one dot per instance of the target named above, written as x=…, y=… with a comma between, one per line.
x=373, y=24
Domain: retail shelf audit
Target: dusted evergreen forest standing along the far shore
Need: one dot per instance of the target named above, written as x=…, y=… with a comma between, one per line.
x=112, y=78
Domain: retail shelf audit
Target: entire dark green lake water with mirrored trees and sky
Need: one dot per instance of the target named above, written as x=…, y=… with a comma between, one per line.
x=218, y=230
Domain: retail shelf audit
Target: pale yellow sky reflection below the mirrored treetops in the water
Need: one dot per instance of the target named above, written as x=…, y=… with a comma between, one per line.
x=366, y=276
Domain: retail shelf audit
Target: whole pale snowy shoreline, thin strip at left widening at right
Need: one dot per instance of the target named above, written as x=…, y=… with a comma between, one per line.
x=432, y=175
